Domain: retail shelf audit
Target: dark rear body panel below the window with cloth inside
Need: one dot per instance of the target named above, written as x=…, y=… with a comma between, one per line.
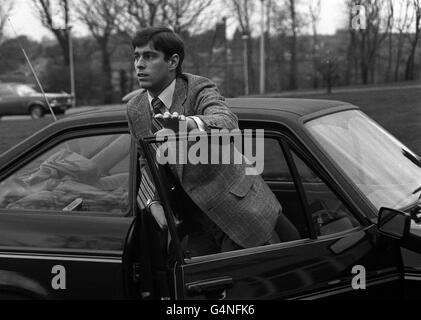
x=47, y=240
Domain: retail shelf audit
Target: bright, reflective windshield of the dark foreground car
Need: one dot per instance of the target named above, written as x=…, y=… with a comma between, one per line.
x=386, y=171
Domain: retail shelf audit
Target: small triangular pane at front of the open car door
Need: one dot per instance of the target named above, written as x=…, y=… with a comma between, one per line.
x=329, y=214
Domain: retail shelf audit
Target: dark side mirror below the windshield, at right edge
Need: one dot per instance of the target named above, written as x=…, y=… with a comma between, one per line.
x=393, y=223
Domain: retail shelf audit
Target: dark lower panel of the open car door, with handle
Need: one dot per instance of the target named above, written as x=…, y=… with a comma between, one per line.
x=306, y=270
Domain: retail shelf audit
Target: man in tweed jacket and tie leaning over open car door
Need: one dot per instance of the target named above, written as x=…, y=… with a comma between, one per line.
x=235, y=210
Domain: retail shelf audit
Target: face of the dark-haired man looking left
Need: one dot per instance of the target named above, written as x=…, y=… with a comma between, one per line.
x=153, y=72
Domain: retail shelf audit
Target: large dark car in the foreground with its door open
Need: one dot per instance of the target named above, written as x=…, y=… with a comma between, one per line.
x=70, y=225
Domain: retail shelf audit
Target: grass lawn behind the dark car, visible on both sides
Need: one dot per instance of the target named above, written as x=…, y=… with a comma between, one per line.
x=399, y=111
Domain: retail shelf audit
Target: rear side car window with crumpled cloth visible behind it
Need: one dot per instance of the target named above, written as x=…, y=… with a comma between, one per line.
x=88, y=174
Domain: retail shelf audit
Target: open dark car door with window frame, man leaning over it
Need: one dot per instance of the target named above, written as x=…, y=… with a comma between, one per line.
x=320, y=265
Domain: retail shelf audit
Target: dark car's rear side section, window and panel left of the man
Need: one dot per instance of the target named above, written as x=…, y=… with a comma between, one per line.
x=66, y=209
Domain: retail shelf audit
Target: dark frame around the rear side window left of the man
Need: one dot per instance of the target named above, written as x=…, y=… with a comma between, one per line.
x=54, y=140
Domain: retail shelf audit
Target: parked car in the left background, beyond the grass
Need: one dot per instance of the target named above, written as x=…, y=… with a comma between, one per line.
x=22, y=99
